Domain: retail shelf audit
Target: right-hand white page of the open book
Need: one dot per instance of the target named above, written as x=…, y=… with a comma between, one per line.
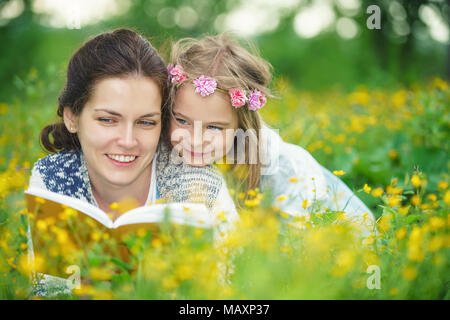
x=193, y=214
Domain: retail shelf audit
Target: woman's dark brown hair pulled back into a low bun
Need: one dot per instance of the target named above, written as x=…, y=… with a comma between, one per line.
x=121, y=52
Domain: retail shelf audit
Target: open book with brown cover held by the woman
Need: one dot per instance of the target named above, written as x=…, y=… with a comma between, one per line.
x=66, y=229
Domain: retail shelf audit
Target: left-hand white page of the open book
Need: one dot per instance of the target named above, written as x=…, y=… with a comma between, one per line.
x=77, y=204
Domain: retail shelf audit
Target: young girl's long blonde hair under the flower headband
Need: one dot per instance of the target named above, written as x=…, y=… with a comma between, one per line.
x=221, y=57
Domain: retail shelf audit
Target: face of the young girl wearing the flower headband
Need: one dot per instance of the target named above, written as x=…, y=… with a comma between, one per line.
x=202, y=128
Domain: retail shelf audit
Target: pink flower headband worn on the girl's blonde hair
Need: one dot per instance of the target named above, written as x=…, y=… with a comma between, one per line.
x=206, y=86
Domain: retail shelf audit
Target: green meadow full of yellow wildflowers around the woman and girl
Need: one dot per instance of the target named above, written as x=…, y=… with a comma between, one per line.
x=389, y=145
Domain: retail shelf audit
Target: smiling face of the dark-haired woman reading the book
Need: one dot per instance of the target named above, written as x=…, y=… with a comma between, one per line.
x=119, y=129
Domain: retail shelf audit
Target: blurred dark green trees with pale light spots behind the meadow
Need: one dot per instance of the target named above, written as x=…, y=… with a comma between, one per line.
x=317, y=44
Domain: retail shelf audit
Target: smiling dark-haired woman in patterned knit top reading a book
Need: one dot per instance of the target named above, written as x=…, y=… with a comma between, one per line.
x=111, y=111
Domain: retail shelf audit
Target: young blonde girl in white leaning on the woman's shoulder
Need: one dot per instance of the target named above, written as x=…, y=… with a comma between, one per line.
x=217, y=88
